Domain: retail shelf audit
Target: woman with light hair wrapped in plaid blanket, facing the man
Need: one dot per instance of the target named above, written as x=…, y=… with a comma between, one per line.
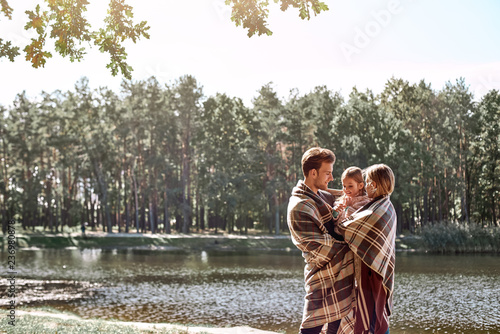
x=370, y=233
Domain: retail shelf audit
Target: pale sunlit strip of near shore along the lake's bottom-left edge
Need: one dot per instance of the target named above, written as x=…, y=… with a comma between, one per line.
x=151, y=326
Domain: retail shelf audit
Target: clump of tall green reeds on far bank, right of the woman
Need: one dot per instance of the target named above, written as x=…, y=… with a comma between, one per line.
x=460, y=238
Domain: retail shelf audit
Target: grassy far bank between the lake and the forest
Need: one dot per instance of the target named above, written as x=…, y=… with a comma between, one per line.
x=434, y=238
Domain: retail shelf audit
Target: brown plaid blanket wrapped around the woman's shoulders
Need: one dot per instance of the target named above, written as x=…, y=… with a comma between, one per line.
x=371, y=234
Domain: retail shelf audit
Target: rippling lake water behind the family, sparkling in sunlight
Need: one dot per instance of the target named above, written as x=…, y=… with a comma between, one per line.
x=261, y=289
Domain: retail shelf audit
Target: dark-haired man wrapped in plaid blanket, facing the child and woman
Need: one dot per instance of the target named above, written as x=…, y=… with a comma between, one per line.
x=329, y=269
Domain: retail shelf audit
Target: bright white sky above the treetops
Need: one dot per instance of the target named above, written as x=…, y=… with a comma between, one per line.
x=357, y=43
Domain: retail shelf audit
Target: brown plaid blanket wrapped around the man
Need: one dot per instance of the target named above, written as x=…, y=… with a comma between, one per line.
x=329, y=269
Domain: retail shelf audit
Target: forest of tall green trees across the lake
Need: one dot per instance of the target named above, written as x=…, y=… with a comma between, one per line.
x=165, y=158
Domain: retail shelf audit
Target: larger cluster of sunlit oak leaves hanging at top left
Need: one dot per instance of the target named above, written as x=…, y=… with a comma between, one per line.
x=66, y=24
